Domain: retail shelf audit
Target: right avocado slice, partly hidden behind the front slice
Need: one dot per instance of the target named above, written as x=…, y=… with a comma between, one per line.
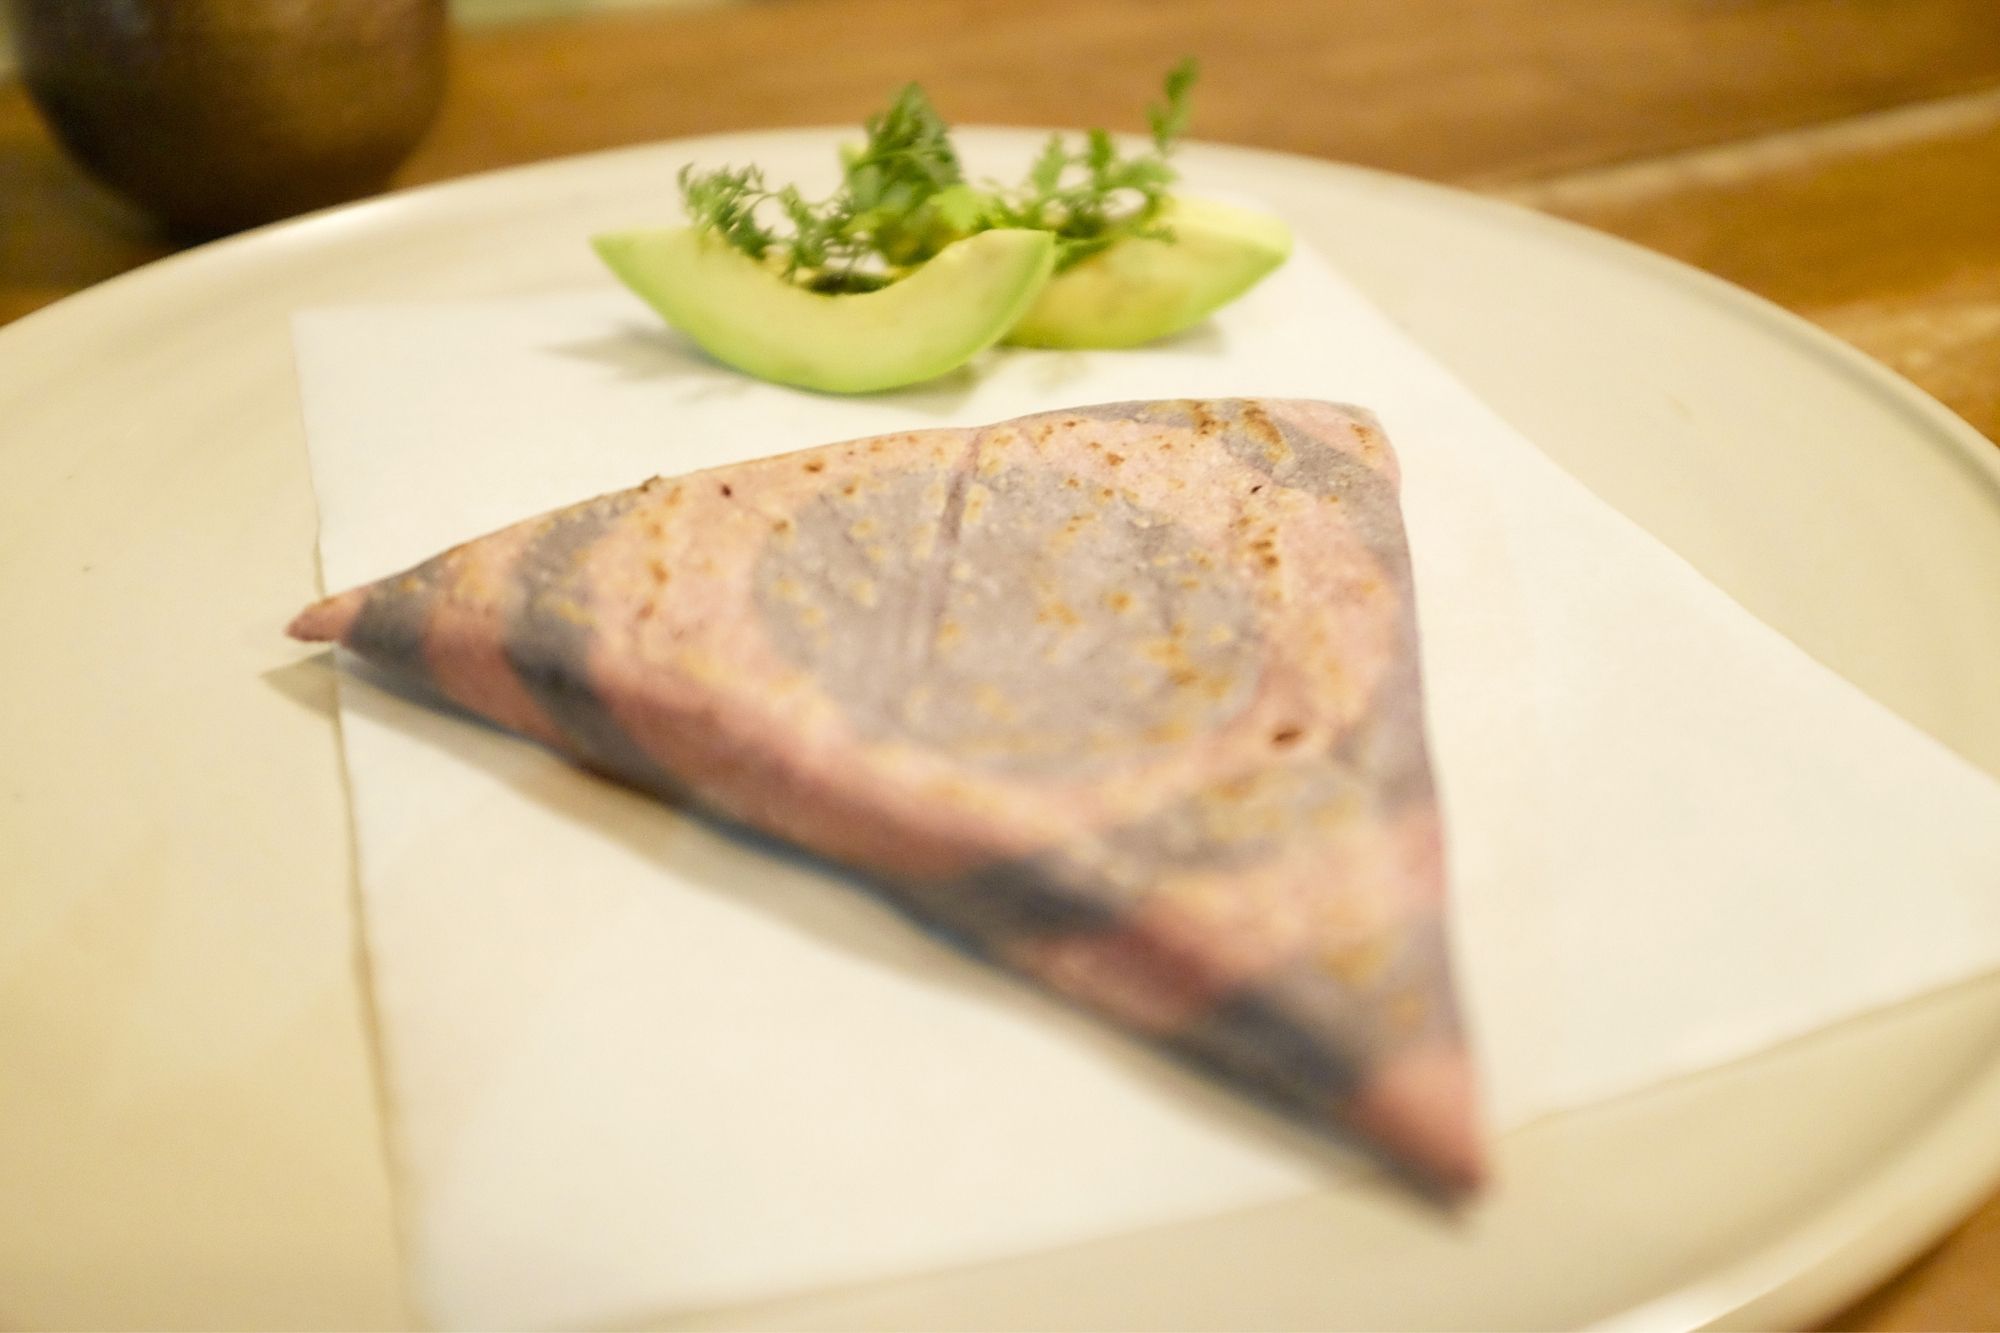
x=1137, y=291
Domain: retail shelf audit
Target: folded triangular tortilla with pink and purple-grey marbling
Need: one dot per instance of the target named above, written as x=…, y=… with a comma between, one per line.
x=1121, y=698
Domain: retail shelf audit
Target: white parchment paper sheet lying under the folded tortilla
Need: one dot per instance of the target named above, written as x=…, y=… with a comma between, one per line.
x=637, y=1064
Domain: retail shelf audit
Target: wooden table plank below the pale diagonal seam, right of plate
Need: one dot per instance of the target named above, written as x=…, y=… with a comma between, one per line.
x=1883, y=229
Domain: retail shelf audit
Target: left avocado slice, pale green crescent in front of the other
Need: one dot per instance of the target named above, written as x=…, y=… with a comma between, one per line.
x=747, y=315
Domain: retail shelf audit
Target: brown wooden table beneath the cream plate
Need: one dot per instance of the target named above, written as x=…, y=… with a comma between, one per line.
x=1841, y=159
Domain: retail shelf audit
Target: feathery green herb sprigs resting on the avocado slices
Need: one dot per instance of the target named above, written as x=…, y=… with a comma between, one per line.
x=905, y=197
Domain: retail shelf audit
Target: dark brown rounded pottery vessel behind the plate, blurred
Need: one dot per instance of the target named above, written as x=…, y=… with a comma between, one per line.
x=217, y=115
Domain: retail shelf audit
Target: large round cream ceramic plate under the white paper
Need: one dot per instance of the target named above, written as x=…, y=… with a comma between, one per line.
x=189, y=1132
